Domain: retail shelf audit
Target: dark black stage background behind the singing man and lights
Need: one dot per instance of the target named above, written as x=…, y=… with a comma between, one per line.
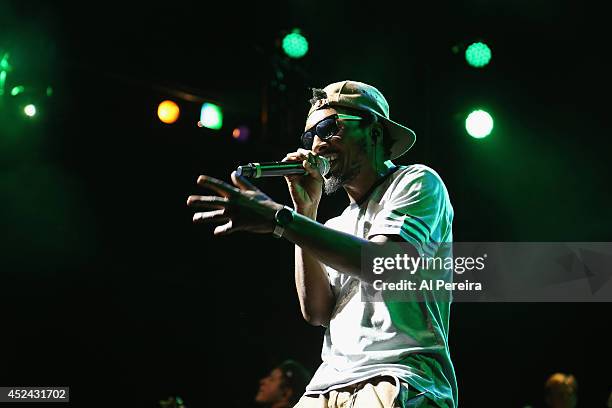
x=108, y=288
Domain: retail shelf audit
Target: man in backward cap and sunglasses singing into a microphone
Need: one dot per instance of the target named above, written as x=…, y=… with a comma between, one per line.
x=375, y=353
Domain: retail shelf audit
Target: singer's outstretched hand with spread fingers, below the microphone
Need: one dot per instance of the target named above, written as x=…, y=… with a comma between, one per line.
x=241, y=207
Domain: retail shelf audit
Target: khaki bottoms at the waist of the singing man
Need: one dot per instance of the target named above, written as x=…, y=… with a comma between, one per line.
x=378, y=392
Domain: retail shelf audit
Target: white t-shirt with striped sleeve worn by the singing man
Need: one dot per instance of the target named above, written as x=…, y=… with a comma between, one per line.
x=406, y=340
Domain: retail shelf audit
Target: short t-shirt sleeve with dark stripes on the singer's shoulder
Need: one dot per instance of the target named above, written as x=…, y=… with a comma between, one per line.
x=416, y=208
